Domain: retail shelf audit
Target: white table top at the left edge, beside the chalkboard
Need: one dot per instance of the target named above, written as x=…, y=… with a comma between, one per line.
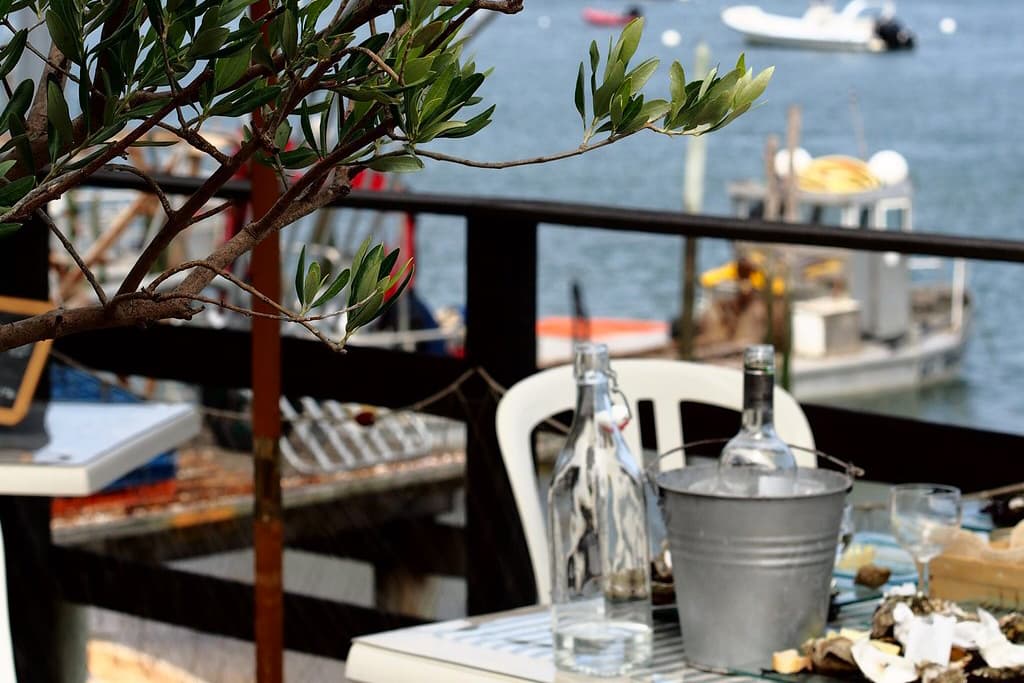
x=93, y=445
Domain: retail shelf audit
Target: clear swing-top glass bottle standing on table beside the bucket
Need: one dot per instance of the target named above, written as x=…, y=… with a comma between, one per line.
x=598, y=528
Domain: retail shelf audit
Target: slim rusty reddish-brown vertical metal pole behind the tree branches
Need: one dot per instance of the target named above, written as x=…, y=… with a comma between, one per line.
x=268, y=526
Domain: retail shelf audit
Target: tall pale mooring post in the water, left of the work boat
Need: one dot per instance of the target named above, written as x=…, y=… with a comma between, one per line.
x=697, y=155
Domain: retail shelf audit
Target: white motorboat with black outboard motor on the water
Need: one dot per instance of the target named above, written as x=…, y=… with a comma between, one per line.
x=861, y=26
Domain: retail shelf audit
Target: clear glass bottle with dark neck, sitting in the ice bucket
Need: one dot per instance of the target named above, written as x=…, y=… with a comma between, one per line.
x=757, y=462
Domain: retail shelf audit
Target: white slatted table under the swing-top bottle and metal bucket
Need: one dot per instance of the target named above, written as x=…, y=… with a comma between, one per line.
x=517, y=647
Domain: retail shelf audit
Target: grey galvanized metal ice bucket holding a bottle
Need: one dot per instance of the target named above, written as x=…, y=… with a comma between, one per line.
x=752, y=575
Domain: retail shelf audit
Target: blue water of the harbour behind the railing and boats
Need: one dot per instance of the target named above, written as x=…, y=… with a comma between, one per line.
x=952, y=107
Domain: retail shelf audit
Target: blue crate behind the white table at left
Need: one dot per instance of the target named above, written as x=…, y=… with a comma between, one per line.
x=69, y=385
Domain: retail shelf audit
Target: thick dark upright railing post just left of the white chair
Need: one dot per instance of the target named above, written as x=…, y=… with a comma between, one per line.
x=501, y=337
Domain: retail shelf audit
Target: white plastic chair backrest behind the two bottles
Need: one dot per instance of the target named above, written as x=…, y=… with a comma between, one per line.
x=665, y=383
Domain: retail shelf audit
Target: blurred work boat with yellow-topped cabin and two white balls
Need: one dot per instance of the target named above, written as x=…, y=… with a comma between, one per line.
x=855, y=323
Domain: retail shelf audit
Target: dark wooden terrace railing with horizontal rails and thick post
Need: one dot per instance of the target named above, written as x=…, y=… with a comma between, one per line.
x=501, y=286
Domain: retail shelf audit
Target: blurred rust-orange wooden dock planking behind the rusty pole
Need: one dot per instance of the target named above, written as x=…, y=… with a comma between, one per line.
x=212, y=506
